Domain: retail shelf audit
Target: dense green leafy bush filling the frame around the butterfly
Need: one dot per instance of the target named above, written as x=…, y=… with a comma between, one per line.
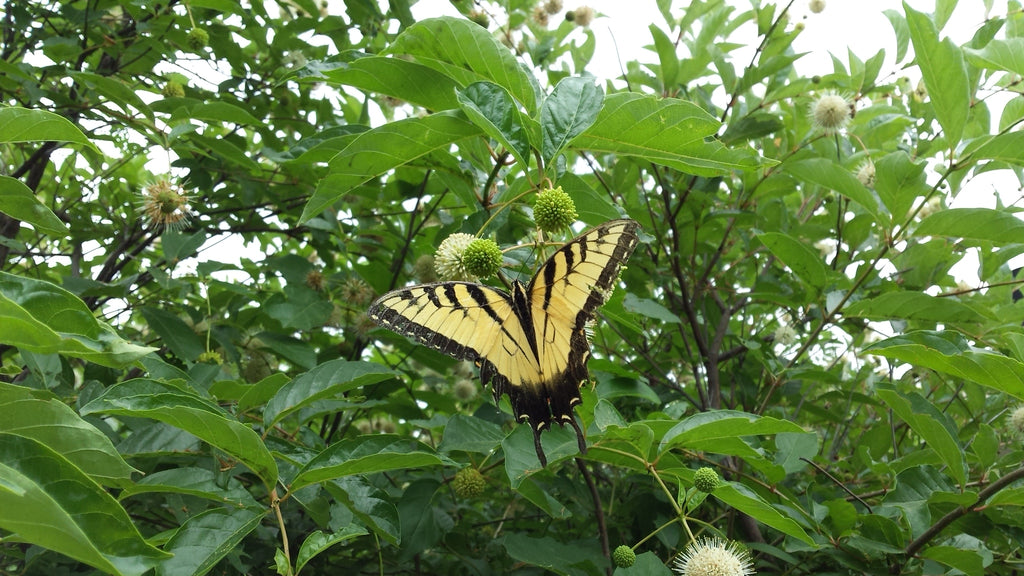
x=790, y=319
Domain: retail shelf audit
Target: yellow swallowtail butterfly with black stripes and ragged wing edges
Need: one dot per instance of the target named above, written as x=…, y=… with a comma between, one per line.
x=531, y=345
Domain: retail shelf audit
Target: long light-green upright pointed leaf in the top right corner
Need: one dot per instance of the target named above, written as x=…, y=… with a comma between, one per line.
x=945, y=72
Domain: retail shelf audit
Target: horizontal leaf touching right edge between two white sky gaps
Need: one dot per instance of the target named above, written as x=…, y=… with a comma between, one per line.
x=985, y=225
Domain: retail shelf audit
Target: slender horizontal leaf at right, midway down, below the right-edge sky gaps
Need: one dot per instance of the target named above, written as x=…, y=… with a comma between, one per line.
x=914, y=306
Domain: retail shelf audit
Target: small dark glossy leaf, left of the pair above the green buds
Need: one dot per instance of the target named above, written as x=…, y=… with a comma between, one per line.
x=493, y=109
